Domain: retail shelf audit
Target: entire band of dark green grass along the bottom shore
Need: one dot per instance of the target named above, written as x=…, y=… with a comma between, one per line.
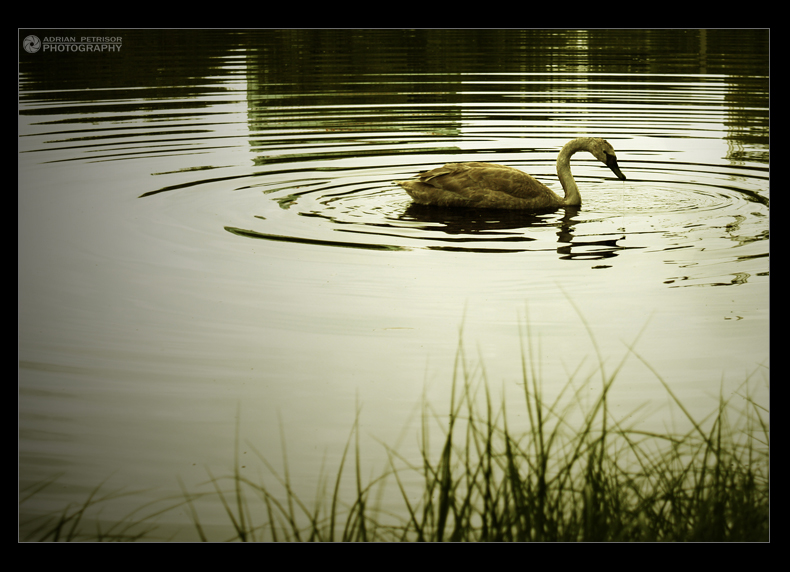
x=576, y=474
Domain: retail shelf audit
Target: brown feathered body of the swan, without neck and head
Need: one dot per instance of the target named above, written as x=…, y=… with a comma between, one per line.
x=480, y=185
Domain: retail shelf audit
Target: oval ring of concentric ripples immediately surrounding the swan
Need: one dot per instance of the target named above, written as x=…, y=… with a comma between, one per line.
x=362, y=208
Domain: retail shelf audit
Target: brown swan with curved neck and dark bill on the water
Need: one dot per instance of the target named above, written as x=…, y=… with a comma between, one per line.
x=490, y=186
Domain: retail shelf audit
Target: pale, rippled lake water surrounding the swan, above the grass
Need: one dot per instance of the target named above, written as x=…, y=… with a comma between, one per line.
x=208, y=231
